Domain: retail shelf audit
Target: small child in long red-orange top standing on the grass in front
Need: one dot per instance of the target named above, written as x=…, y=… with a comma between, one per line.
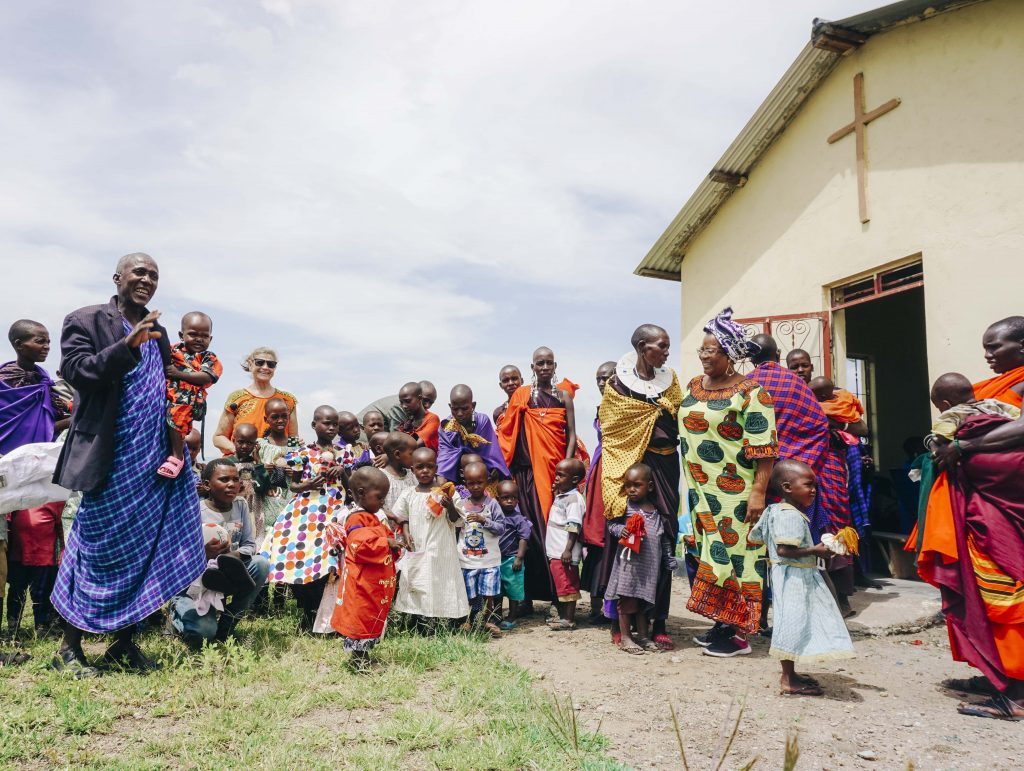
x=368, y=554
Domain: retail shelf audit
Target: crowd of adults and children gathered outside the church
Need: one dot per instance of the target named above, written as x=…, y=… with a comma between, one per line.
x=394, y=515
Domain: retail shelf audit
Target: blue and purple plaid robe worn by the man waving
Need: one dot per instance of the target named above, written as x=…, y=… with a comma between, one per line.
x=138, y=540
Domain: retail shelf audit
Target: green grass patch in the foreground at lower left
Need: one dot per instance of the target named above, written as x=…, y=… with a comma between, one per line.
x=276, y=700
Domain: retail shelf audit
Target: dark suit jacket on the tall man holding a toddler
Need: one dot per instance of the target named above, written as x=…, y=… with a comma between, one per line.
x=95, y=358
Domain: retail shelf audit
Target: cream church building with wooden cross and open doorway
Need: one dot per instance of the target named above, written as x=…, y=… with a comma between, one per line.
x=872, y=210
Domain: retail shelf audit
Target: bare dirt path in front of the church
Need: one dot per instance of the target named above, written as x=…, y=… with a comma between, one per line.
x=886, y=702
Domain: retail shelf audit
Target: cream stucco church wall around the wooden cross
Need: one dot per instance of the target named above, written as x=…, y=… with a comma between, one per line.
x=946, y=180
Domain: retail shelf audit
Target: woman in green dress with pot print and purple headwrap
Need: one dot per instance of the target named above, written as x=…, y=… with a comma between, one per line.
x=728, y=433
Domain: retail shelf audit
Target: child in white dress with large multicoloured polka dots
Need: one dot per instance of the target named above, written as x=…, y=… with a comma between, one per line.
x=319, y=500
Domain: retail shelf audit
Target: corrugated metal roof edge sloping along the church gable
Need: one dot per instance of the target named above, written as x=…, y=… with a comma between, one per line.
x=767, y=124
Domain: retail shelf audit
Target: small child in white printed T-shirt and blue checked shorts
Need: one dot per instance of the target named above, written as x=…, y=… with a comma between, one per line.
x=480, y=548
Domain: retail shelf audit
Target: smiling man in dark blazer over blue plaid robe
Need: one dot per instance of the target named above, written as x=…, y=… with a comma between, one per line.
x=137, y=540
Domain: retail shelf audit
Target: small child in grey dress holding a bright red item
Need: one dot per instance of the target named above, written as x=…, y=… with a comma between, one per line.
x=643, y=551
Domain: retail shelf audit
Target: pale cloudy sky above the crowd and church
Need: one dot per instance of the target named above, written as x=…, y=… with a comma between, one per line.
x=382, y=192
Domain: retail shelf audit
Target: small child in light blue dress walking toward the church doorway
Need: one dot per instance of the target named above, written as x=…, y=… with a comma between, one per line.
x=808, y=625
